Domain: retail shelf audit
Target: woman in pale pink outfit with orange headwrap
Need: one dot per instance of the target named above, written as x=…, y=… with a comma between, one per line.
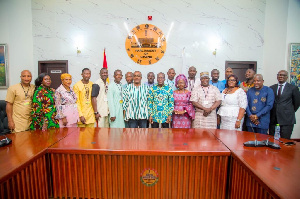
x=65, y=101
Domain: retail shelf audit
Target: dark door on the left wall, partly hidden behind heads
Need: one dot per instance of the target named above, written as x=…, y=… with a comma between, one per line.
x=54, y=68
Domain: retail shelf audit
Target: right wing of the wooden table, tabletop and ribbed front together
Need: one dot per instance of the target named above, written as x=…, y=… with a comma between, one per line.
x=261, y=172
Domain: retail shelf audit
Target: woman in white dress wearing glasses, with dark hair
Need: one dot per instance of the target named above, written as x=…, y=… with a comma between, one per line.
x=233, y=106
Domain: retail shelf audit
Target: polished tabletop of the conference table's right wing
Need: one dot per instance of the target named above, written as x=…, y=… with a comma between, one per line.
x=279, y=169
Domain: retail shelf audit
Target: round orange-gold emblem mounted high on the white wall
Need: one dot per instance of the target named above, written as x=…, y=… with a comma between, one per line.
x=146, y=44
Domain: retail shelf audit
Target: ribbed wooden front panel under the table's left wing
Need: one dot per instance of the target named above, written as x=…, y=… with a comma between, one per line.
x=30, y=182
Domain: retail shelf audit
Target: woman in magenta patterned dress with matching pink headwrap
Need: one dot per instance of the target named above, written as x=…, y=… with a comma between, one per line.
x=184, y=111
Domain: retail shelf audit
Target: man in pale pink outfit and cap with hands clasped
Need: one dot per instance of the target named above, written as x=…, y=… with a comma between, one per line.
x=206, y=98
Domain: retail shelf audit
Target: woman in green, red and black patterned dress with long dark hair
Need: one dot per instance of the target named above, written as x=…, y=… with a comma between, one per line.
x=43, y=107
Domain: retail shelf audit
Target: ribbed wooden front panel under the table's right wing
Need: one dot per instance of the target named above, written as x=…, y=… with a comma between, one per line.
x=243, y=184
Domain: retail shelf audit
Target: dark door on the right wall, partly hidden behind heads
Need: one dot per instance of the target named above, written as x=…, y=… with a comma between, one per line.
x=239, y=68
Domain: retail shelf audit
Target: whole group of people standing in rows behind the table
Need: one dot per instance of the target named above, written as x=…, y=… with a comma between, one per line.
x=175, y=101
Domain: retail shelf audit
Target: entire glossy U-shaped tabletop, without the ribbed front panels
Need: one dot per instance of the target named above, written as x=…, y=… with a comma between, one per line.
x=277, y=169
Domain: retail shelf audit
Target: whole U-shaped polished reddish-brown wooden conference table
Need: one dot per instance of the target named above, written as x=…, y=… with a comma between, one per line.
x=146, y=163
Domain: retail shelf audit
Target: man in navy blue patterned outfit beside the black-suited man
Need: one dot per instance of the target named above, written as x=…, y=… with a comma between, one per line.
x=260, y=102
